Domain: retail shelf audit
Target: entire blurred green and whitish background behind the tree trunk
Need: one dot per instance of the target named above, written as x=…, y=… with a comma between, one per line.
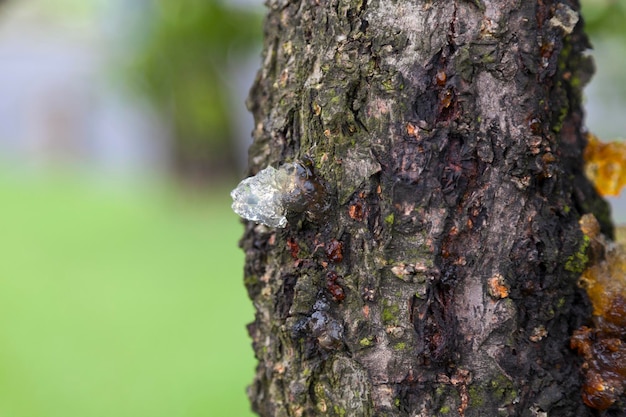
x=122, y=130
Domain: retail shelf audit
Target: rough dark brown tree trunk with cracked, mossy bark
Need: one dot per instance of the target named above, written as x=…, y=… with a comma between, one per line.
x=443, y=279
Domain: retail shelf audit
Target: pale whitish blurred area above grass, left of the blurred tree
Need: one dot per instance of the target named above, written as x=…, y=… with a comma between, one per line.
x=60, y=102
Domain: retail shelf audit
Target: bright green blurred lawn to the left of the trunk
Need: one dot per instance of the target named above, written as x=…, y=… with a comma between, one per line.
x=120, y=302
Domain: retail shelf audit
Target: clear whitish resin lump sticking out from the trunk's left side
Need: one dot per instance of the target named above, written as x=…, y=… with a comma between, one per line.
x=261, y=198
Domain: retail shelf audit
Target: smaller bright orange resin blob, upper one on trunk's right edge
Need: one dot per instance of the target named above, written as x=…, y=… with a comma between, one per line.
x=605, y=165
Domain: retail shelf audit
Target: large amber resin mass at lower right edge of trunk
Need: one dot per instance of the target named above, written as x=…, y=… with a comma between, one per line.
x=603, y=346
